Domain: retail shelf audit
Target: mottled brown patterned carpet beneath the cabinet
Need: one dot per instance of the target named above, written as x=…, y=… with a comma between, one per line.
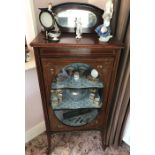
x=72, y=143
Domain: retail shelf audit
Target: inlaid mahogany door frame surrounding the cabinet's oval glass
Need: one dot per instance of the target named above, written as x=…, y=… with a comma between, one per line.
x=106, y=67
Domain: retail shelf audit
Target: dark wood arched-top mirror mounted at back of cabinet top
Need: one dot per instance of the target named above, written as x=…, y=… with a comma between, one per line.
x=66, y=13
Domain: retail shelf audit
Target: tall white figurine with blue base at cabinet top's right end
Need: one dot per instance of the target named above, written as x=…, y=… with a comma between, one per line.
x=104, y=30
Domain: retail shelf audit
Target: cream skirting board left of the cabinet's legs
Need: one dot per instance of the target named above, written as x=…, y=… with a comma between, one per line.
x=35, y=131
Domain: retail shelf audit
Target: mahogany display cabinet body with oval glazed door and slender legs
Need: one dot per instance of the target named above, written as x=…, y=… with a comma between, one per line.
x=72, y=98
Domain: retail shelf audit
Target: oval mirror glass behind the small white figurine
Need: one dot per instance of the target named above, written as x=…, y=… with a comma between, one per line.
x=67, y=18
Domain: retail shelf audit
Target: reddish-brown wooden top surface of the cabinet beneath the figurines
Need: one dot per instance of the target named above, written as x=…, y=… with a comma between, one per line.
x=68, y=40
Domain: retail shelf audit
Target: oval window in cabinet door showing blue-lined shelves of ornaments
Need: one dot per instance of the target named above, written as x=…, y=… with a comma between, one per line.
x=77, y=94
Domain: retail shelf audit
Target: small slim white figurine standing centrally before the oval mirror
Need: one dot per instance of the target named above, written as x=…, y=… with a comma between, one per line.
x=78, y=26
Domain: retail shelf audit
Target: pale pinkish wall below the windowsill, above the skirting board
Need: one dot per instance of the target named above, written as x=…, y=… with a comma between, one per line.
x=33, y=107
